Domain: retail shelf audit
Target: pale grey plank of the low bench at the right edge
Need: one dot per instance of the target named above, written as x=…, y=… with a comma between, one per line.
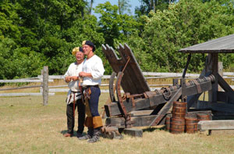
x=216, y=125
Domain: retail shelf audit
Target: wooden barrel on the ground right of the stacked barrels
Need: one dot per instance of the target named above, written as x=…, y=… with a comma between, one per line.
x=191, y=124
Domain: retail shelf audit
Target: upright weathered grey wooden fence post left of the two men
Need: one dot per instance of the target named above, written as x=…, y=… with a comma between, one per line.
x=45, y=74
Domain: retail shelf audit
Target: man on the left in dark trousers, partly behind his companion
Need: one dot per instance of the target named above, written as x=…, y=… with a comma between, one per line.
x=74, y=95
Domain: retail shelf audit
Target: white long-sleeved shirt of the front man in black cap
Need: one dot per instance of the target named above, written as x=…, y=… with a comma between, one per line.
x=94, y=66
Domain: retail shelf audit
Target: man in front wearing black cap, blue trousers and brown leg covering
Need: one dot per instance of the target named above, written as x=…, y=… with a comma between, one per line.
x=92, y=72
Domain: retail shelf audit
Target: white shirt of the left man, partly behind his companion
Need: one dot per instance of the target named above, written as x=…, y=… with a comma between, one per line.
x=73, y=70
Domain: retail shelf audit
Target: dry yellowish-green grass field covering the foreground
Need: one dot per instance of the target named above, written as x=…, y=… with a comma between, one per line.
x=28, y=127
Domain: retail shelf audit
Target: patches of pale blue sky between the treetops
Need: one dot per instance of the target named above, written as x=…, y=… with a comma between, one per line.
x=133, y=3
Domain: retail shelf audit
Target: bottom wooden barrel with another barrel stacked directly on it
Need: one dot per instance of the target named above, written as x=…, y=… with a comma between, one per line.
x=177, y=125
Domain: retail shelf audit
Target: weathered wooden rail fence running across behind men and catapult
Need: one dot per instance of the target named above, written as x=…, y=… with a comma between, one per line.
x=46, y=90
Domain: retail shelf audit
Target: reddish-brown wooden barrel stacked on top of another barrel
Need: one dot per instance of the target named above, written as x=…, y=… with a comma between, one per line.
x=179, y=109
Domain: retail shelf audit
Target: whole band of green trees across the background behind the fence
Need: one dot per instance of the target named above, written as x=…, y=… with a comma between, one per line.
x=37, y=33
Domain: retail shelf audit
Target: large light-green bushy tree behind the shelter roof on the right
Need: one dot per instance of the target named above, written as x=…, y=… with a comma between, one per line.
x=184, y=24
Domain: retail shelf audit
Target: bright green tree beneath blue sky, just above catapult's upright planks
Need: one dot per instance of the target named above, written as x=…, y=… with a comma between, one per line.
x=115, y=27
